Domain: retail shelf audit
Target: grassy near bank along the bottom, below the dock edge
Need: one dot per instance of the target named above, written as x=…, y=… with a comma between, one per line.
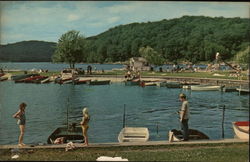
x=196, y=152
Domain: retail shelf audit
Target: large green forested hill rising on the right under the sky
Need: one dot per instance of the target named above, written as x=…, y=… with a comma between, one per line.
x=193, y=38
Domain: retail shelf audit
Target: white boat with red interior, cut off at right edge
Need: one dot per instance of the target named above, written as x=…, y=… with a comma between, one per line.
x=241, y=129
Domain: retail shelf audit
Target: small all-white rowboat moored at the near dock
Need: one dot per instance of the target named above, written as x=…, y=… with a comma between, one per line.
x=133, y=134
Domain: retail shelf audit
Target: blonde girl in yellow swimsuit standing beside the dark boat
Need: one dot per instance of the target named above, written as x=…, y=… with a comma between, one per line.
x=84, y=125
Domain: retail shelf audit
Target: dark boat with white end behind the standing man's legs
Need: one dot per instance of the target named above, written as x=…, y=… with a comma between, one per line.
x=176, y=135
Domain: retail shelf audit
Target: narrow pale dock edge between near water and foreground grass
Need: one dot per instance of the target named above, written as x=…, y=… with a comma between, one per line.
x=128, y=144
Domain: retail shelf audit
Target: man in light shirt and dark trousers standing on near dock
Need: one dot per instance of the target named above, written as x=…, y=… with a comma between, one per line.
x=184, y=116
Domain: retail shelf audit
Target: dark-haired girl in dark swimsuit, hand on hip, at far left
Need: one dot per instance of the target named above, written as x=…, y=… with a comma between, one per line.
x=20, y=115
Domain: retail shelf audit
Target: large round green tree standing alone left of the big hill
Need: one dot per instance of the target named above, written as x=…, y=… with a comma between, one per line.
x=70, y=48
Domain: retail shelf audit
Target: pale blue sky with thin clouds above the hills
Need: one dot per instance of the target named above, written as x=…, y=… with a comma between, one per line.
x=48, y=20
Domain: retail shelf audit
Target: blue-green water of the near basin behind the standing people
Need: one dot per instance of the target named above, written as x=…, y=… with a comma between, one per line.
x=145, y=107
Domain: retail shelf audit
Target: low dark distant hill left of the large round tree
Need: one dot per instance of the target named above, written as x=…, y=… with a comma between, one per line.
x=27, y=51
